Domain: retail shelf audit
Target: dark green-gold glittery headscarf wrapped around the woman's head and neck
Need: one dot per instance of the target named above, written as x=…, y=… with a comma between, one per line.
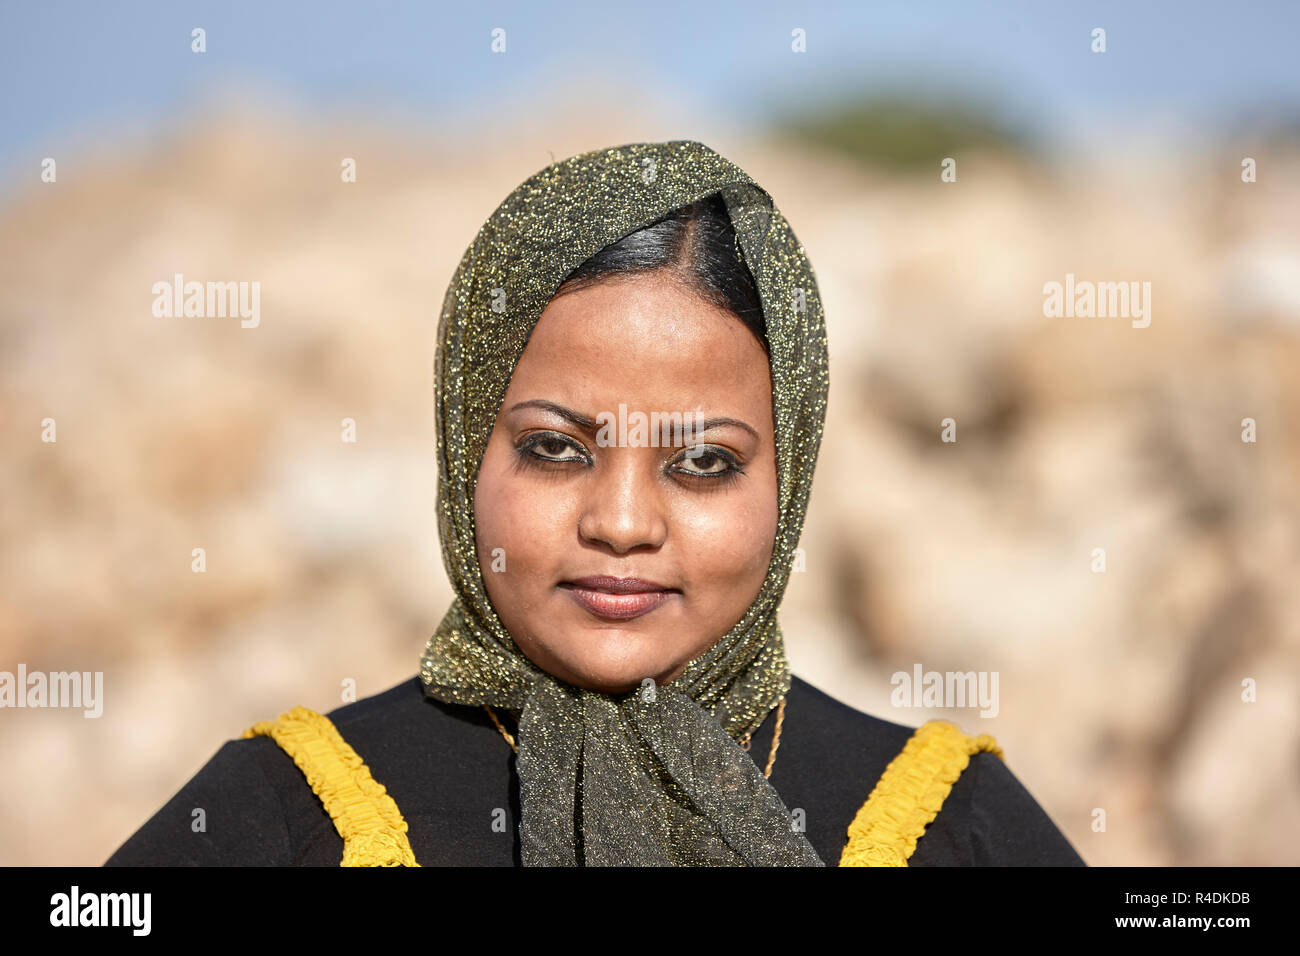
x=652, y=777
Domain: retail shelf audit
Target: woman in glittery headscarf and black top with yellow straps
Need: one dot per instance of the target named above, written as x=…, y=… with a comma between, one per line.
x=631, y=390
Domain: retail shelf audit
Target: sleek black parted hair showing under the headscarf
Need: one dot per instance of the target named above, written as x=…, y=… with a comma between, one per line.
x=695, y=245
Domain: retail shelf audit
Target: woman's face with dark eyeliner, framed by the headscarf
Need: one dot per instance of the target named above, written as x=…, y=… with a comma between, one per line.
x=561, y=505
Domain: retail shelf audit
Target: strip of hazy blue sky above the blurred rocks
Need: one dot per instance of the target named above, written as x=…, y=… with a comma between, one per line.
x=67, y=67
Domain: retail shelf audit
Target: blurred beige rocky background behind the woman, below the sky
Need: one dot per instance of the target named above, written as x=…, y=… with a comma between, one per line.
x=1121, y=690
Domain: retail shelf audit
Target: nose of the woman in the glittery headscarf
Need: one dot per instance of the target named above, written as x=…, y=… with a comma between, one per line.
x=626, y=509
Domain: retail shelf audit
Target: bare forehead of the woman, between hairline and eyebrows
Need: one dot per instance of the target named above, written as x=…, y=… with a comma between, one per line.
x=644, y=340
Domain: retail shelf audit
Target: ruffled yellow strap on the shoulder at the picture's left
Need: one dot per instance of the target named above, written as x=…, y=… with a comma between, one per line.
x=367, y=819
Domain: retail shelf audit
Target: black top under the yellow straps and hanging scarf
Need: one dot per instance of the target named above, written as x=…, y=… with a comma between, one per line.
x=452, y=775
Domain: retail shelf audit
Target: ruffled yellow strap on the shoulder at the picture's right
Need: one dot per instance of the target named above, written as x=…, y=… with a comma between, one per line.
x=909, y=794
